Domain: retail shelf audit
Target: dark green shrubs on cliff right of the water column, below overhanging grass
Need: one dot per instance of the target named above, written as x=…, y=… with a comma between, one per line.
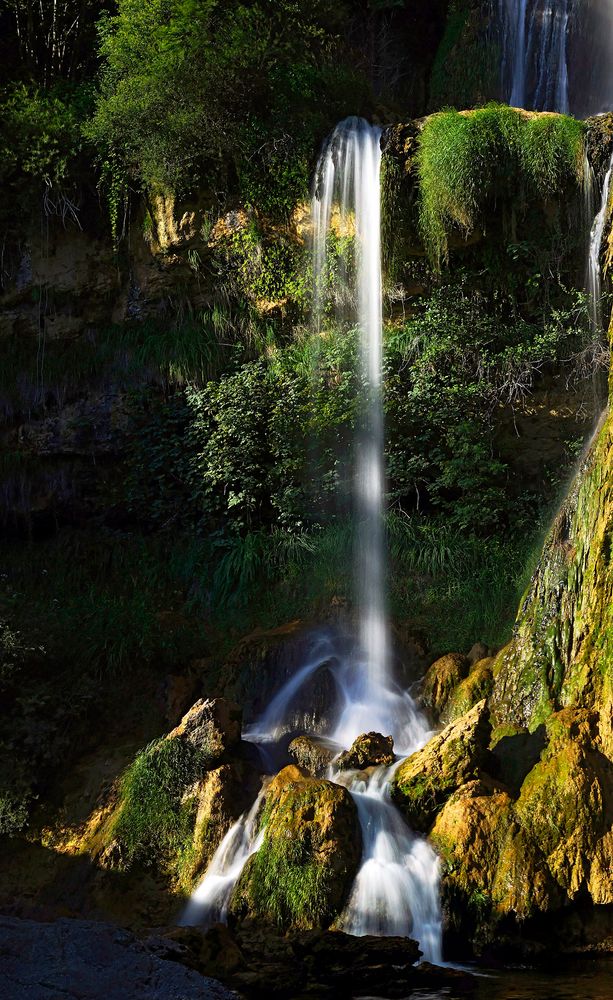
x=448, y=369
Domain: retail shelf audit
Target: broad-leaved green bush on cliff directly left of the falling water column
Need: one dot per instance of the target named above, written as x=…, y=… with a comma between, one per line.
x=242, y=460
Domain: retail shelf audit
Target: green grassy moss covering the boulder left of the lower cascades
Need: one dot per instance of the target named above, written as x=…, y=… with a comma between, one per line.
x=154, y=821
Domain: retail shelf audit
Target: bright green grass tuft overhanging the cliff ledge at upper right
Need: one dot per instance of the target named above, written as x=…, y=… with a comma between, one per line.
x=466, y=161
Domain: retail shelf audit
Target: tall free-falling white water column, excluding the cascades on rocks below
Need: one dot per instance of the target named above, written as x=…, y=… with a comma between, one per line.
x=348, y=178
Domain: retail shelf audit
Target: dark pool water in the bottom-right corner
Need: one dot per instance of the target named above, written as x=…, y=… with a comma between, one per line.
x=584, y=980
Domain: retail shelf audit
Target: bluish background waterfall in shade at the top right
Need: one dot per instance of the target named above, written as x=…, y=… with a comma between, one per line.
x=535, y=62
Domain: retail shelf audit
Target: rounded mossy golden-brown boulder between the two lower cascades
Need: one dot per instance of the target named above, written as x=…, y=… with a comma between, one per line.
x=302, y=873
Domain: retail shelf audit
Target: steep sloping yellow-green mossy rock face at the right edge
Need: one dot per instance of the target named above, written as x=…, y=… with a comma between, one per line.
x=562, y=652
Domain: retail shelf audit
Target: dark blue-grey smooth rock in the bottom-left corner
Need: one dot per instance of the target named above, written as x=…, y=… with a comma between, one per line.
x=86, y=961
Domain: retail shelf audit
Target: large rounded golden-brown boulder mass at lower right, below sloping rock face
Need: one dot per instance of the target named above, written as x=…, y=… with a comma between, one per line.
x=516, y=858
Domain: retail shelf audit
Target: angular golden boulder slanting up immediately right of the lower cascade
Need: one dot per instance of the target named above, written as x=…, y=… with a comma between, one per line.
x=426, y=780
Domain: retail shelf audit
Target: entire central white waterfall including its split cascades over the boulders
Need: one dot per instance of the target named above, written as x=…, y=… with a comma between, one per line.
x=396, y=889
